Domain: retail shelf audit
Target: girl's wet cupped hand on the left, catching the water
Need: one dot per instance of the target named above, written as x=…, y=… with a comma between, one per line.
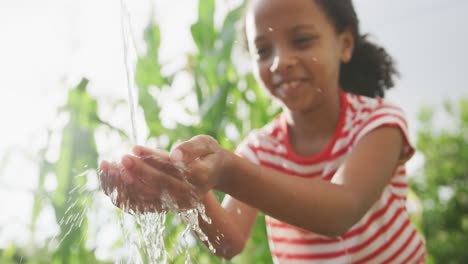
x=146, y=182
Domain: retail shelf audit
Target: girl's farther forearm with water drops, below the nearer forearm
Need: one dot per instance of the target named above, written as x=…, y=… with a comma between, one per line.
x=222, y=232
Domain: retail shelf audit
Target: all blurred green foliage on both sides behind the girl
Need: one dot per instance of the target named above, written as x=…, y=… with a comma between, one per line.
x=226, y=101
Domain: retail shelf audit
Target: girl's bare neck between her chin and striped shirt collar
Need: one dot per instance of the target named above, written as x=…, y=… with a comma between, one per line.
x=317, y=123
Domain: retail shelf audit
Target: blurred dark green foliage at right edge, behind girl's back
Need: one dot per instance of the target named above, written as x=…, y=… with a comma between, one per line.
x=442, y=185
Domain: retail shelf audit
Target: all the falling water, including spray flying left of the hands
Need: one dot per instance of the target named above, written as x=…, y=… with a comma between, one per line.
x=143, y=233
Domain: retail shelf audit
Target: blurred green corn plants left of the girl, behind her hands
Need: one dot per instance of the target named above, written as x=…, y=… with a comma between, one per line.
x=225, y=101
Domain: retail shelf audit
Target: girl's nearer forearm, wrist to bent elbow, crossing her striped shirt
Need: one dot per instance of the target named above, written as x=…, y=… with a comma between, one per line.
x=315, y=205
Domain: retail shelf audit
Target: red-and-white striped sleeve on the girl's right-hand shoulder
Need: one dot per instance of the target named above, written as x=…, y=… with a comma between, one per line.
x=388, y=116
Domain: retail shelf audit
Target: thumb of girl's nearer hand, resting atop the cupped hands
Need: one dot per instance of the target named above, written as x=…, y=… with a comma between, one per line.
x=198, y=146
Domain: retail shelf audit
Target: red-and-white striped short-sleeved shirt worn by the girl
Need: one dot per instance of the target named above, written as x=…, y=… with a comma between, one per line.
x=385, y=234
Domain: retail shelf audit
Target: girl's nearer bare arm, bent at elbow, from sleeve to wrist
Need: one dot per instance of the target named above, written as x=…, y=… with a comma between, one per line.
x=328, y=208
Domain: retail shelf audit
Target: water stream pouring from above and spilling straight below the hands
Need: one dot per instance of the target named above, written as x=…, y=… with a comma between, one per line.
x=148, y=244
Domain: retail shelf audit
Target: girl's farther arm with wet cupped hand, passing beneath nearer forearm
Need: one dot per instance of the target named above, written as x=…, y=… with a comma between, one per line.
x=153, y=172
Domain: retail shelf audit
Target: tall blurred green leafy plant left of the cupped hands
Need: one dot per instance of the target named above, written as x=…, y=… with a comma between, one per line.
x=77, y=152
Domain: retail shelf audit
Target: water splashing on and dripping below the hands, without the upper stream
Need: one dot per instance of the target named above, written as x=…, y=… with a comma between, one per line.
x=146, y=243
